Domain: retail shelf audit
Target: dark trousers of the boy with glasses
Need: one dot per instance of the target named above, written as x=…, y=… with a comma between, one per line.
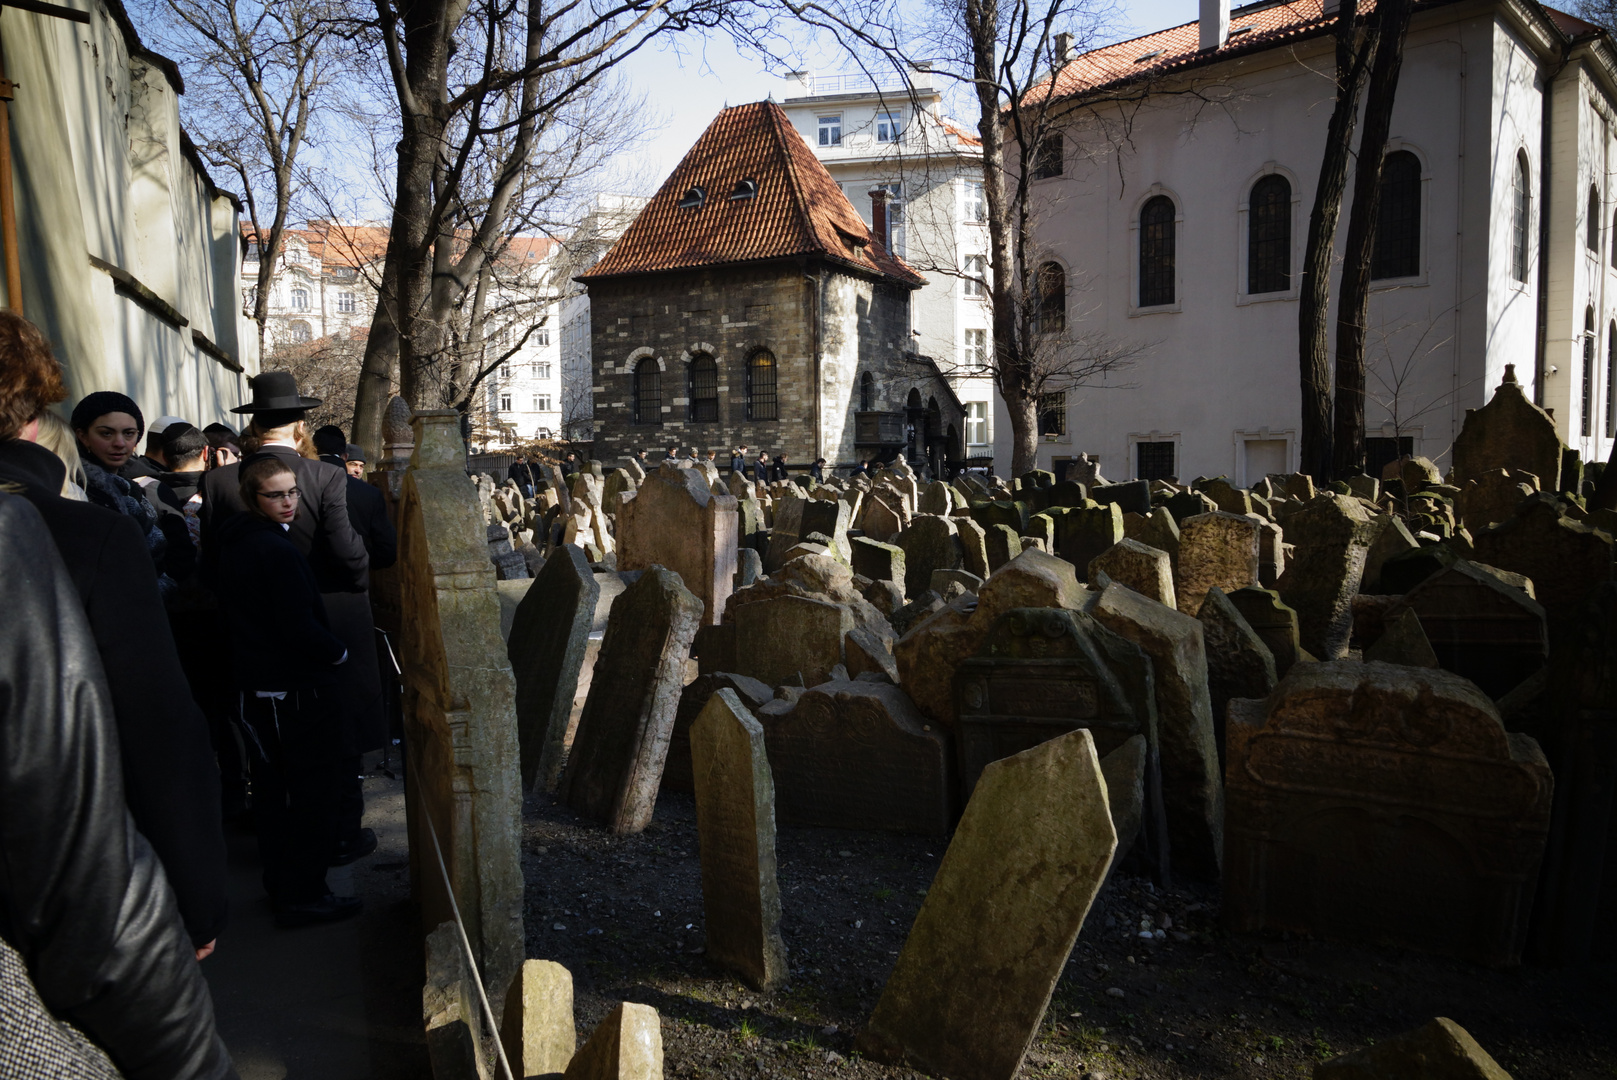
x=298, y=766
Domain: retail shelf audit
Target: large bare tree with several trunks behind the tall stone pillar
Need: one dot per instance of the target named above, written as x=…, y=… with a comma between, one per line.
x=481, y=90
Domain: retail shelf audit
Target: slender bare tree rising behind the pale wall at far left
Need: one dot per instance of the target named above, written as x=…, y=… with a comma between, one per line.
x=258, y=78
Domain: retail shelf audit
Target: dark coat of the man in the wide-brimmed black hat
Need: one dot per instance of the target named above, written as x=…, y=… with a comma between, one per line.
x=323, y=529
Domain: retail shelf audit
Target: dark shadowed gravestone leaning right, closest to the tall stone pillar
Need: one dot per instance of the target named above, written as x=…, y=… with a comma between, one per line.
x=551, y=631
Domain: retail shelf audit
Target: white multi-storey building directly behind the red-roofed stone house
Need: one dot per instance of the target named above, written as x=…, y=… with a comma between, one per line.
x=893, y=137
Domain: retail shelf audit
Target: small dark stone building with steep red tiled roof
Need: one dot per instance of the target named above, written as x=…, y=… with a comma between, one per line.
x=751, y=305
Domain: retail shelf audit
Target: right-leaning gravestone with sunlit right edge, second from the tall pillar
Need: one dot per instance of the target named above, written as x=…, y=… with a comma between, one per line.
x=617, y=762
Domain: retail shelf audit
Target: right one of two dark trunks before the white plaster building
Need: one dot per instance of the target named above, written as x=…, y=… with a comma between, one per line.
x=1353, y=310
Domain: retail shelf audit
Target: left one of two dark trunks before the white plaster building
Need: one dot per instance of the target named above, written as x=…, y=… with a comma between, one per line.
x=1315, y=297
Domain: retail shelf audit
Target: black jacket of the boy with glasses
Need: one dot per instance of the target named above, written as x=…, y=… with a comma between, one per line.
x=281, y=635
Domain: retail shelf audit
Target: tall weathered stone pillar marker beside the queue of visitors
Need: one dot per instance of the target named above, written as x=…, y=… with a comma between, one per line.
x=460, y=712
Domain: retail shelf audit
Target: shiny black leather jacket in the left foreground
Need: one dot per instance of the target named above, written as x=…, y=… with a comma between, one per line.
x=82, y=893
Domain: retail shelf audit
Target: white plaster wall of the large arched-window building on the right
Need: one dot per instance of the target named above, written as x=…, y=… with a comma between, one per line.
x=1220, y=366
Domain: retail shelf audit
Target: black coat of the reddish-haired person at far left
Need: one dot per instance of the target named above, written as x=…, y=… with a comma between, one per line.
x=171, y=777
